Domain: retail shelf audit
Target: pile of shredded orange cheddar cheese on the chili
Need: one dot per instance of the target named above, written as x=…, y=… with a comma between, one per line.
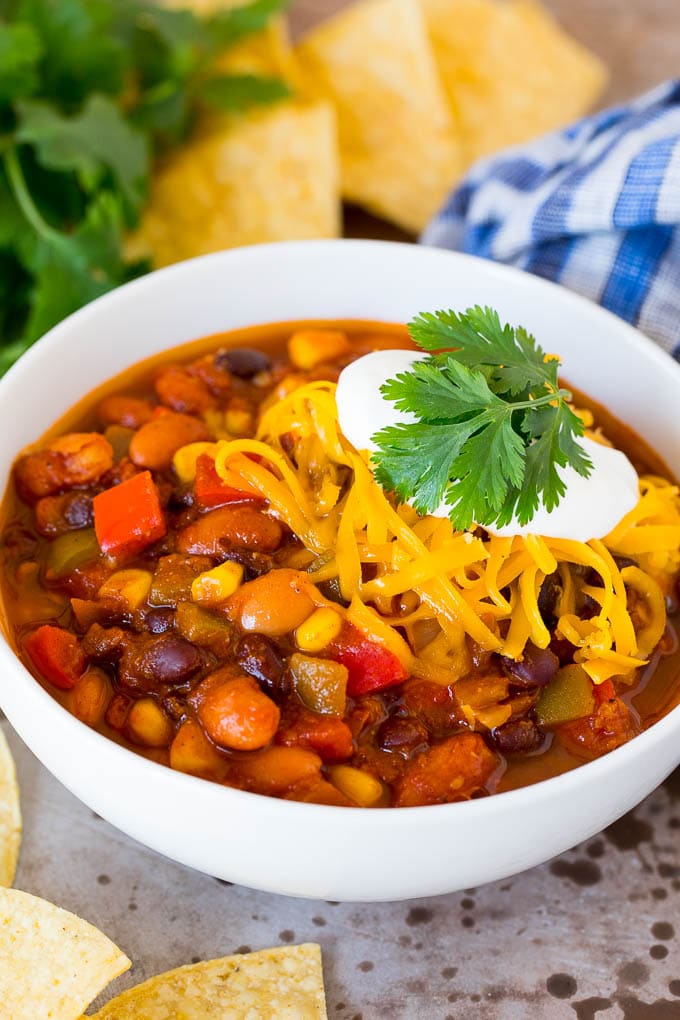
x=443, y=588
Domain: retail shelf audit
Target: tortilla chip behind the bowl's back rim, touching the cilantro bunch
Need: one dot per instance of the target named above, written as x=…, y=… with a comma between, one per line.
x=269, y=176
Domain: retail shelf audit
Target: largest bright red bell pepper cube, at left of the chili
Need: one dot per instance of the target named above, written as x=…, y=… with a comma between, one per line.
x=129, y=518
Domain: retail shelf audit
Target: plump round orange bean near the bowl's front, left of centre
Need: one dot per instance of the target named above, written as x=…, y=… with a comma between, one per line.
x=237, y=716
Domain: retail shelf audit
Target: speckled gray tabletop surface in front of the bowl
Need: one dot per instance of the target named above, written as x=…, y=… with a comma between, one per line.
x=588, y=937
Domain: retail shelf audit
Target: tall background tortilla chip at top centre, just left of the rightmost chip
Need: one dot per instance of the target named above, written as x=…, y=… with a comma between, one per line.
x=400, y=155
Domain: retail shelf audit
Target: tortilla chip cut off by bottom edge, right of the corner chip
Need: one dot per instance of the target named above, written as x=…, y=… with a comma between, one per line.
x=284, y=984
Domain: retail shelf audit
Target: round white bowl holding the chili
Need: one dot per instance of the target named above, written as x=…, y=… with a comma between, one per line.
x=304, y=849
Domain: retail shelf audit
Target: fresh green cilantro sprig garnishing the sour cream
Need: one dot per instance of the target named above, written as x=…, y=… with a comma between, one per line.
x=493, y=427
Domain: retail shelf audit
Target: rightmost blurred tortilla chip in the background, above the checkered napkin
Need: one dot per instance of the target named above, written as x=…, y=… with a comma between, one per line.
x=510, y=73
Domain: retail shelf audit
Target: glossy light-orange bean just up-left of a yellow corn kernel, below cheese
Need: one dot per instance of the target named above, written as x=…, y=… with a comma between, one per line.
x=275, y=604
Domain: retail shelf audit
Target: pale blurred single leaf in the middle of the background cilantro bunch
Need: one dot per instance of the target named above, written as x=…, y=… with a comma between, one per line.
x=96, y=140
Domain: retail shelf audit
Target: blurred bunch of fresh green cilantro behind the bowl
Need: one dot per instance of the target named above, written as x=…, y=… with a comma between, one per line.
x=90, y=92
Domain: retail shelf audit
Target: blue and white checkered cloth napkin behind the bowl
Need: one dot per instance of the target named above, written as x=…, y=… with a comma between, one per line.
x=595, y=208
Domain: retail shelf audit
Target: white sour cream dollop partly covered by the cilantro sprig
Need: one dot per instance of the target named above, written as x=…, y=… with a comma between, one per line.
x=590, y=508
